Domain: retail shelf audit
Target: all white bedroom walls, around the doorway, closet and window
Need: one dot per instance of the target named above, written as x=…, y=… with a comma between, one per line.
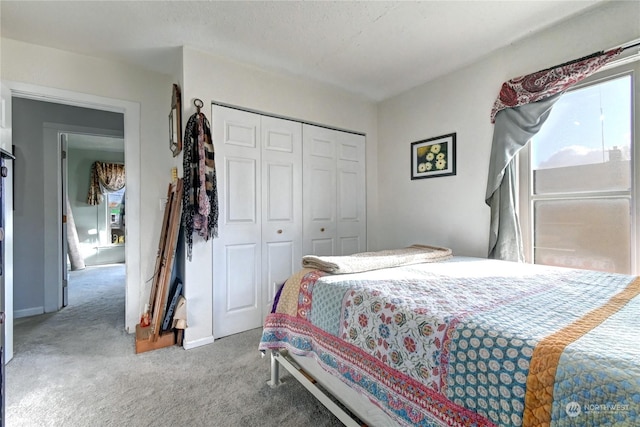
x=448, y=211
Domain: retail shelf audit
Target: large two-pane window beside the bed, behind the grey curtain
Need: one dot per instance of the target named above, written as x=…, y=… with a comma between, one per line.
x=577, y=178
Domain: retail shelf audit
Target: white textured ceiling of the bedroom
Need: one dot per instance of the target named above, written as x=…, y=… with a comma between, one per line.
x=376, y=49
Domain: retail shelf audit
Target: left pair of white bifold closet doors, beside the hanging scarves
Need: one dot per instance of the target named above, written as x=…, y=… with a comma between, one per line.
x=259, y=161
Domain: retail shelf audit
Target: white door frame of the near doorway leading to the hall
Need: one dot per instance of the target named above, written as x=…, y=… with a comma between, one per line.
x=131, y=112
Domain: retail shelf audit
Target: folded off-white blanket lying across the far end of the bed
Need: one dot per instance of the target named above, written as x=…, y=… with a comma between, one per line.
x=366, y=261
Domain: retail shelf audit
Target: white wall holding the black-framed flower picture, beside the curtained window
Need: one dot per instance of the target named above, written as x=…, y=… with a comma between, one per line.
x=450, y=211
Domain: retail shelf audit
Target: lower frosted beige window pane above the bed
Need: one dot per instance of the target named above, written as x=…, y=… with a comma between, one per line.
x=587, y=233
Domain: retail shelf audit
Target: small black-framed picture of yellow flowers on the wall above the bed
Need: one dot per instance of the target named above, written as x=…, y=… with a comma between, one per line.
x=433, y=157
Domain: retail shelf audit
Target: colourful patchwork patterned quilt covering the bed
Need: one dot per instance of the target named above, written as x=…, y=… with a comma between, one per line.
x=471, y=341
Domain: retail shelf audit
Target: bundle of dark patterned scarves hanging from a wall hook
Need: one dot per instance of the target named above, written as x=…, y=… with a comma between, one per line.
x=200, y=197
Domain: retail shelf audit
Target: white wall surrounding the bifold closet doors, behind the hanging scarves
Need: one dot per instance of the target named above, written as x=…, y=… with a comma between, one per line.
x=216, y=79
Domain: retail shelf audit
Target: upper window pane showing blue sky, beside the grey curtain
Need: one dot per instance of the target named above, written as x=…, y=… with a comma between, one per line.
x=585, y=144
